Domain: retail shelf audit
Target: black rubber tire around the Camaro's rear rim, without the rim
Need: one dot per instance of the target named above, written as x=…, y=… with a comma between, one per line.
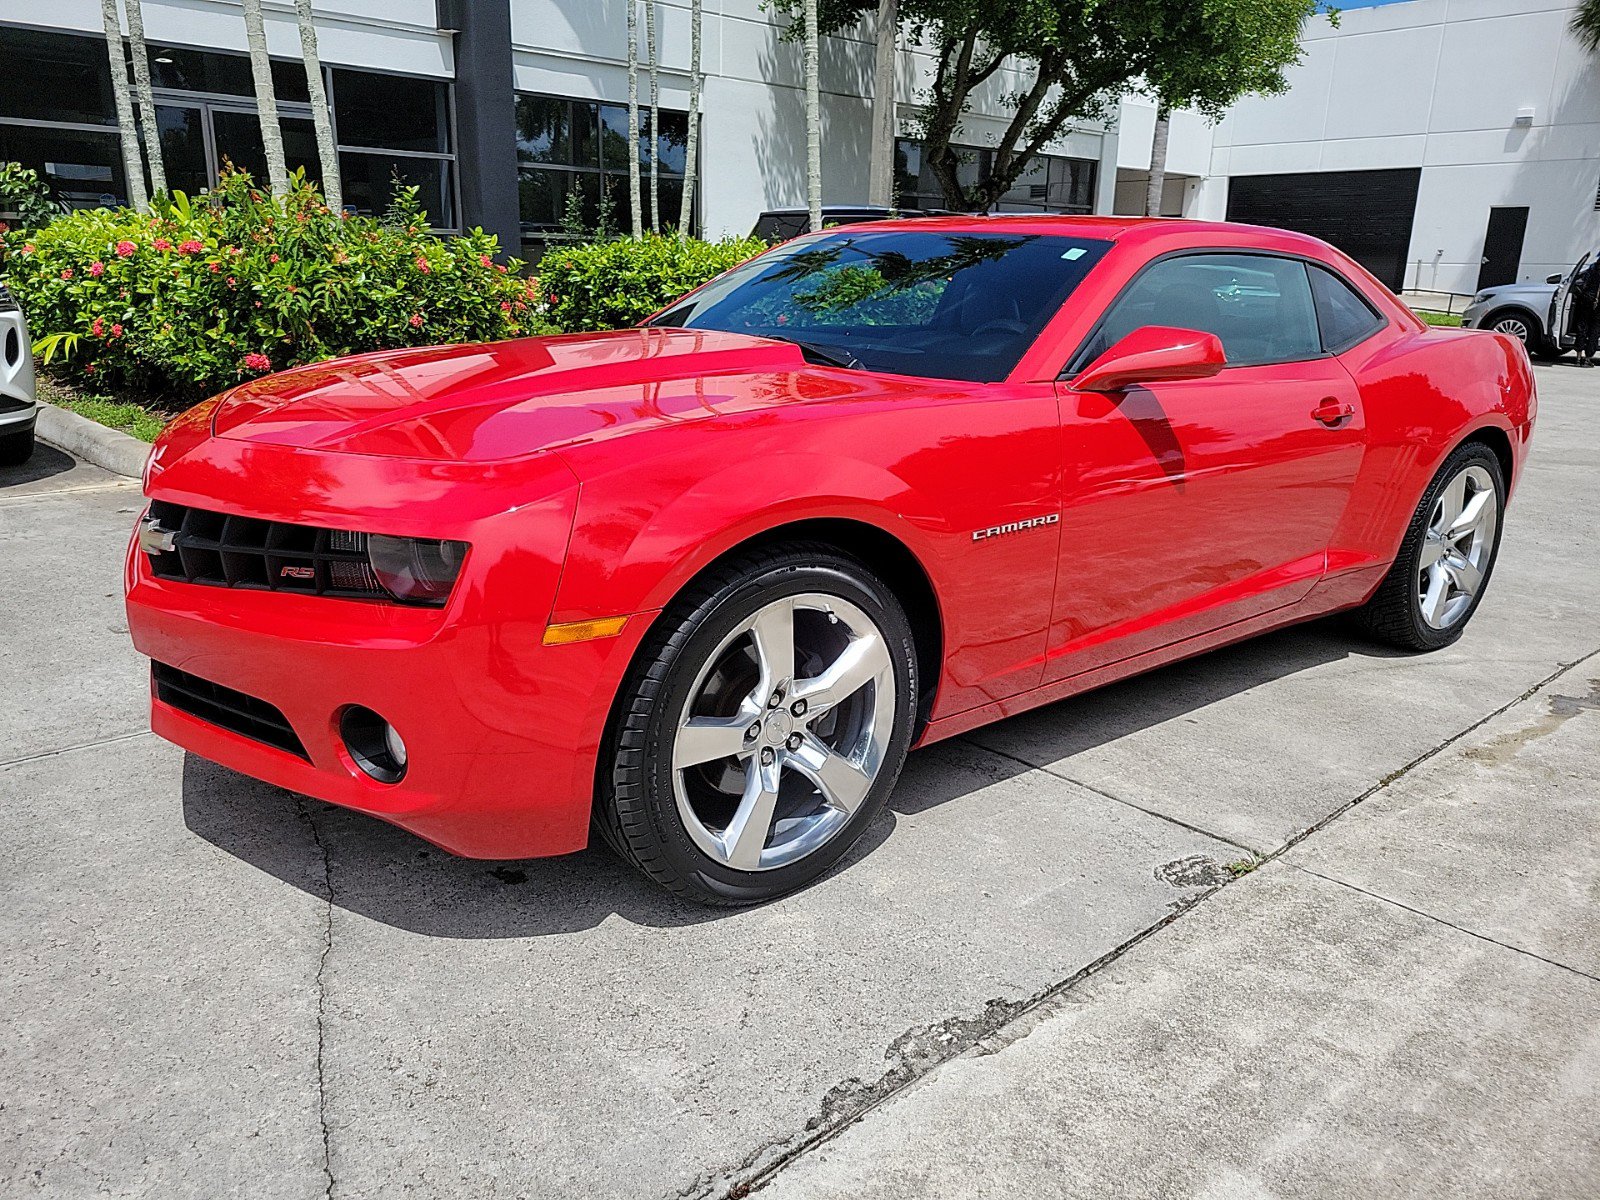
x=1394, y=614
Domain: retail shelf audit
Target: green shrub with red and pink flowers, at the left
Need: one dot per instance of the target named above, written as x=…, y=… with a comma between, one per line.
x=198, y=295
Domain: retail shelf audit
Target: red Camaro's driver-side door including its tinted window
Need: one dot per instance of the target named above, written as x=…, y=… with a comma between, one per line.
x=1194, y=505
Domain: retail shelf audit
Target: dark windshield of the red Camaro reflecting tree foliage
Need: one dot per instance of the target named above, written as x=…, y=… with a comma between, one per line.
x=943, y=306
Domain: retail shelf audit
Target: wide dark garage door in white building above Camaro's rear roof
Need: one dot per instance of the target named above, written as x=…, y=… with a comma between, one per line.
x=1364, y=214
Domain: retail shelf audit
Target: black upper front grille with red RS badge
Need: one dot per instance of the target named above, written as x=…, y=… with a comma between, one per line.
x=225, y=551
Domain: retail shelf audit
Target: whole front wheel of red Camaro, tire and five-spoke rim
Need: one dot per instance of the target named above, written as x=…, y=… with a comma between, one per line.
x=762, y=729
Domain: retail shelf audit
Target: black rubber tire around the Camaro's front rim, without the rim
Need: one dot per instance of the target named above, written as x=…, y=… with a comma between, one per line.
x=636, y=810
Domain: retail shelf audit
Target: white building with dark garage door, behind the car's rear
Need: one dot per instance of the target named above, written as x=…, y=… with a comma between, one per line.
x=1449, y=145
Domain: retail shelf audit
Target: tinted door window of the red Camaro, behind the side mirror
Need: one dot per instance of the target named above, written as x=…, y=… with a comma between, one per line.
x=1260, y=306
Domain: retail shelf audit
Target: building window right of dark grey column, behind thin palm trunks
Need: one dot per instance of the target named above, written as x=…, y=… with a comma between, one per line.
x=574, y=158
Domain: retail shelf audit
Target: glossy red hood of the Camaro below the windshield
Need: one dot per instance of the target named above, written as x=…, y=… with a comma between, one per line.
x=478, y=404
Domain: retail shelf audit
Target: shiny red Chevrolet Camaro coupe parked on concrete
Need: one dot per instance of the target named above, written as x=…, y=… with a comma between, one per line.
x=705, y=583
